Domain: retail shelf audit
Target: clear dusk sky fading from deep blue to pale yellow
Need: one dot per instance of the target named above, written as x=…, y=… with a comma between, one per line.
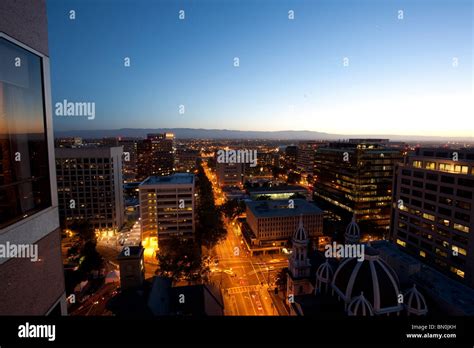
x=400, y=78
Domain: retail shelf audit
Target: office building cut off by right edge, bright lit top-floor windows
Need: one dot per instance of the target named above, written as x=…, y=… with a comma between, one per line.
x=433, y=210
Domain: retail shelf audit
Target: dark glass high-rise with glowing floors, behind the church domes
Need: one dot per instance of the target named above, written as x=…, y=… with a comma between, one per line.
x=355, y=177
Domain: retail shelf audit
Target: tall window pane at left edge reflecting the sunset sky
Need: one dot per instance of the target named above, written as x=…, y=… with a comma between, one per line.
x=24, y=172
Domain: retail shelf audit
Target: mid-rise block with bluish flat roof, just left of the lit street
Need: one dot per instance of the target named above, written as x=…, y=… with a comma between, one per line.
x=167, y=206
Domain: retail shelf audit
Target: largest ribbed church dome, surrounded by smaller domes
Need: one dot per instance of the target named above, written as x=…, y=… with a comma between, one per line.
x=372, y=276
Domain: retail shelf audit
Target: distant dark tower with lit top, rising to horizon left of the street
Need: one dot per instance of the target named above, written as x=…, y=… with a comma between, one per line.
x=156, y=155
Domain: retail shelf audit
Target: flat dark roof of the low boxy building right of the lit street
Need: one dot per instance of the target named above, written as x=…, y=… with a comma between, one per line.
x=277, y=208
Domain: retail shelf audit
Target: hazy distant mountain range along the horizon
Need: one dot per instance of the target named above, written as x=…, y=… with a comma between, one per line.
x=189, y=133
